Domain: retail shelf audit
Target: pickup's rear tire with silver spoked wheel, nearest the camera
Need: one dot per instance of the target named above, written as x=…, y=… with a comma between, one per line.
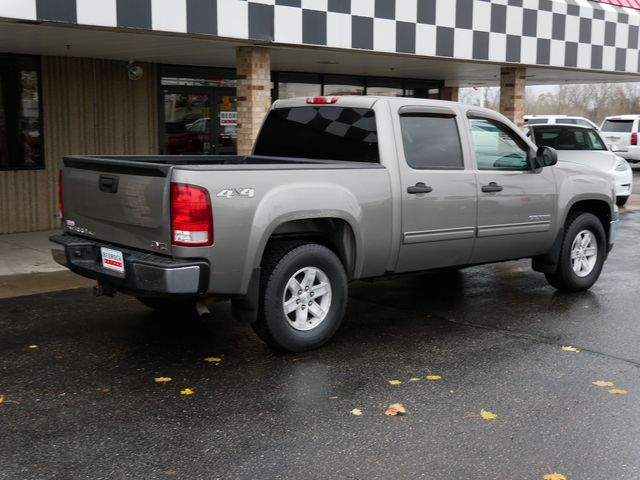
x=303, y=296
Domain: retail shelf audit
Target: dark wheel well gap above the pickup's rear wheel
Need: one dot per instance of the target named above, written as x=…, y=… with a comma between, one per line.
x=334, y=233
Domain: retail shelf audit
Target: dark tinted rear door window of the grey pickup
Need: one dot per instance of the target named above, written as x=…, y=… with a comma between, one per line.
x=431, y=142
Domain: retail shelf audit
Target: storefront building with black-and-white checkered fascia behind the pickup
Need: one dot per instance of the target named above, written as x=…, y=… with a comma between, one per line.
x=197, y=76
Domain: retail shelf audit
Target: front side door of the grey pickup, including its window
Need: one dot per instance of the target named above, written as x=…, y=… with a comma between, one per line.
x=516, y=204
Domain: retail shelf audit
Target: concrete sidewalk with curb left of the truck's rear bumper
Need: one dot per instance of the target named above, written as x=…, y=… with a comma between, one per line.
x=26, y=266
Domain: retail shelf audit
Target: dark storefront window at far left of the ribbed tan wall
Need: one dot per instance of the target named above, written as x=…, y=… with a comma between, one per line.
x=20, y=118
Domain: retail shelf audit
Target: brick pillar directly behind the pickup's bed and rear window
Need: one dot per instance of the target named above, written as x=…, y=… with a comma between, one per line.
x=253, y=73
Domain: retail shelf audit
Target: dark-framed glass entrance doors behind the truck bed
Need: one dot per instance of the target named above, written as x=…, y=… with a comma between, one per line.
x=198, y=121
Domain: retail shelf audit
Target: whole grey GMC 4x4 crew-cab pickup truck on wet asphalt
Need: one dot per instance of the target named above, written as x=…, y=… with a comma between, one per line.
x=337, y=189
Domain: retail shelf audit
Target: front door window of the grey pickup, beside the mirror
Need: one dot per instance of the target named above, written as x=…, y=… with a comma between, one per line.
x=497, y=147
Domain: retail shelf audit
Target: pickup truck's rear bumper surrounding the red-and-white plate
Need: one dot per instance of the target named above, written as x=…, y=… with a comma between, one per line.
x=145, y=274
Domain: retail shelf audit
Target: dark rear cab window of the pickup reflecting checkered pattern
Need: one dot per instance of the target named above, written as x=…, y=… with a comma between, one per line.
x=320, y=132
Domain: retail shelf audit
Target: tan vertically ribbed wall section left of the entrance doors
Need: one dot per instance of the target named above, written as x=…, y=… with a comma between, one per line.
x=89, y=107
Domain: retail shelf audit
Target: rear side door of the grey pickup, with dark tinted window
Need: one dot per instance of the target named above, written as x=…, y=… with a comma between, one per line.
x=438, y=191
